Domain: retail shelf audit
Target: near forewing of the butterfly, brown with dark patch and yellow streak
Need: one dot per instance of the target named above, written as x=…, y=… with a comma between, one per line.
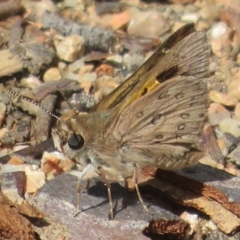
x=190, y=57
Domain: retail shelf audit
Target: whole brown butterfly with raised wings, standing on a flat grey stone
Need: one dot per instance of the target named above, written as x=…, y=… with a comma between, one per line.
x=155, y=118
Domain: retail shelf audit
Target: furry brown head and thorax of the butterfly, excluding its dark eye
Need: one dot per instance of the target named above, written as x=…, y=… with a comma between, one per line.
x=100, y=148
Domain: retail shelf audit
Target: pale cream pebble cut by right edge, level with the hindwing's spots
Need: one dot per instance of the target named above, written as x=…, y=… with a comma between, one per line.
x=231, y=126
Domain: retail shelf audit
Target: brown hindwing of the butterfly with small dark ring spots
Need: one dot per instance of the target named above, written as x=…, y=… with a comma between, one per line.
x=163, y=128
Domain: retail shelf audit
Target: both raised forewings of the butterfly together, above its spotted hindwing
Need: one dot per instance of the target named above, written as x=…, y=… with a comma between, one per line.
x=184, y=52
